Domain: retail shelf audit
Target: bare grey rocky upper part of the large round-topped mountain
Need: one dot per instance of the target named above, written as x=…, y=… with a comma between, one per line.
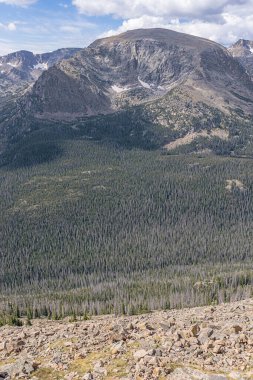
x=141, y=66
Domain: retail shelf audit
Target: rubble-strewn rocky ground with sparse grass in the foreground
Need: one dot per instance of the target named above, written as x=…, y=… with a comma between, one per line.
x=208, y=343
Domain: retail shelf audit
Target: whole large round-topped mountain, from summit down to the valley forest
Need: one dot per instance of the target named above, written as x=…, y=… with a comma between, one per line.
x=147, y=87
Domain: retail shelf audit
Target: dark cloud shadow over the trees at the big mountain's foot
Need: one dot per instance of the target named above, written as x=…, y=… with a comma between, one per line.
x=43, y=143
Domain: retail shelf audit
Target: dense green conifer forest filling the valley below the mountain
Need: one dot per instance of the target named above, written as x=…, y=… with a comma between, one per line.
x=94, y=227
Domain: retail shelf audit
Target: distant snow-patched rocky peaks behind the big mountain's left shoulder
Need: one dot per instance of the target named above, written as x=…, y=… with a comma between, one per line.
x=19, y=70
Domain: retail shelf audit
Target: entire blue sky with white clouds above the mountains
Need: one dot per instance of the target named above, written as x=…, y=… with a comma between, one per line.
x=45, y=25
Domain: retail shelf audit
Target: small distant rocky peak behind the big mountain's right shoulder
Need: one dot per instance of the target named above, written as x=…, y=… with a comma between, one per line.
x=242, y=50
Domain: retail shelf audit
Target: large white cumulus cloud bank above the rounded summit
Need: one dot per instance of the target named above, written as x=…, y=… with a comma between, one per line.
x=224, y=21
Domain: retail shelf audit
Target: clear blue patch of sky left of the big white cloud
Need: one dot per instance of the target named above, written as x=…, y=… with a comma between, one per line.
x=47, y=25
